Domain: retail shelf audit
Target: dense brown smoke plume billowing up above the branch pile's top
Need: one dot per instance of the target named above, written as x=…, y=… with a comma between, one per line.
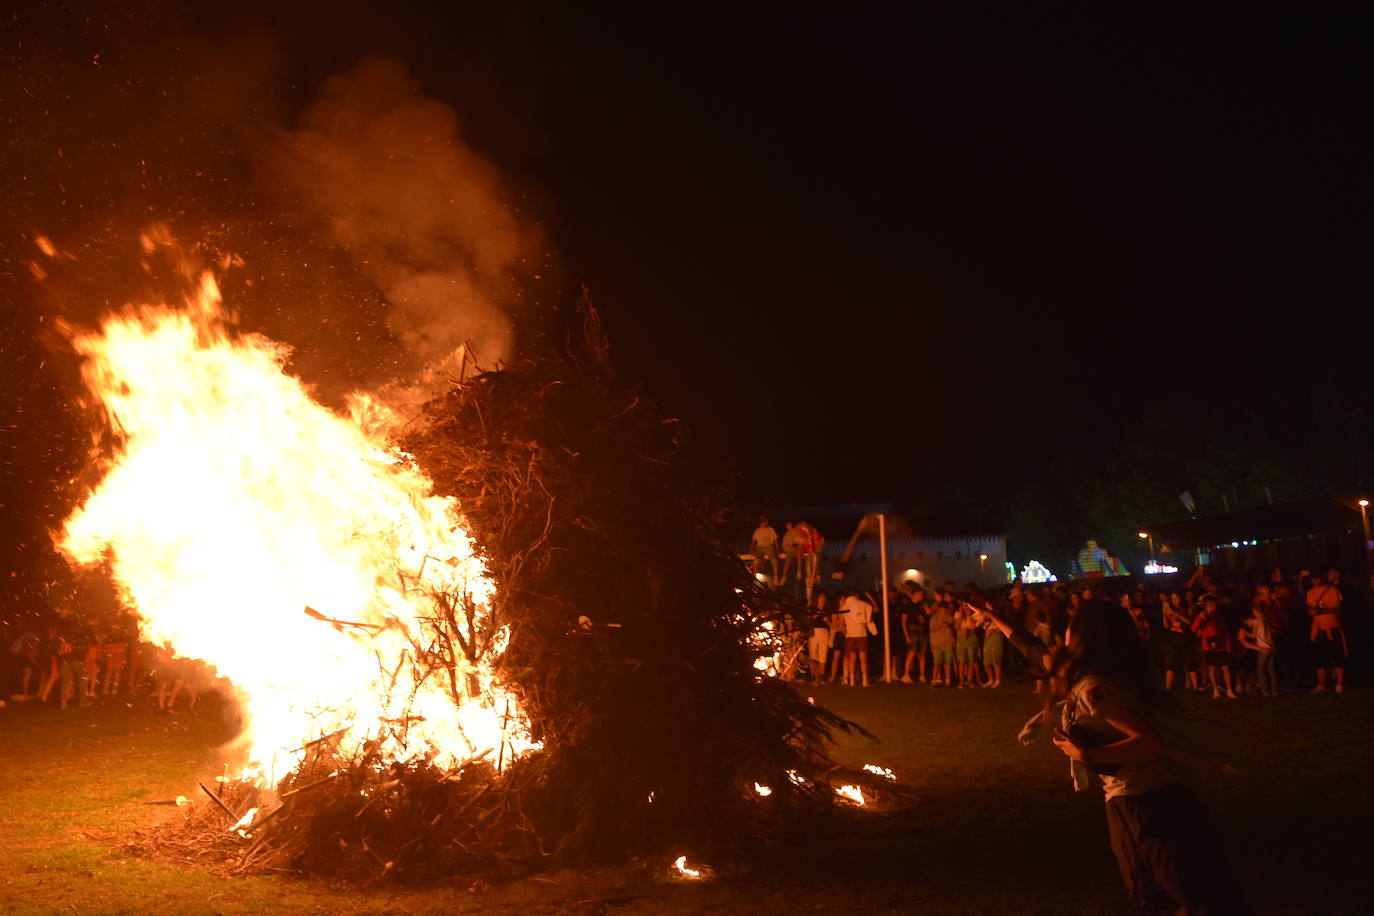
x=388, y=176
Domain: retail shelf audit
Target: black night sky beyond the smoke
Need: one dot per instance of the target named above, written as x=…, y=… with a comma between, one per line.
x=880, y=259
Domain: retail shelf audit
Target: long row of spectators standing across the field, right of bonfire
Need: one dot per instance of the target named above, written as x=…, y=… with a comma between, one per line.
x=1221, y=637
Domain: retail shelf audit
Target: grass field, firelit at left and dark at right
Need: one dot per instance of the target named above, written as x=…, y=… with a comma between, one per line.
x=995, y=827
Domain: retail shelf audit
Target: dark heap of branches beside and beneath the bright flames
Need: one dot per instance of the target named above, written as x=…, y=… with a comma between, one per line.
x=626, y=630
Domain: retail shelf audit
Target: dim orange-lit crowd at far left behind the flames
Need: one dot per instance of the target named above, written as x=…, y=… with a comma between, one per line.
x=57, y=660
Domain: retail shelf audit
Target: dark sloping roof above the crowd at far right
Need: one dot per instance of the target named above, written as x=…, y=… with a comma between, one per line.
x=1263, y=524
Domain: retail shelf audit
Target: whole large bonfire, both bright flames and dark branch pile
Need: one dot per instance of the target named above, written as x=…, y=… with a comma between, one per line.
x=516, y=641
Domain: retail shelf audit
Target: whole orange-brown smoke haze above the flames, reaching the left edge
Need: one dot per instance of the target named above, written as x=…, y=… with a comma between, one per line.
x=370, y=237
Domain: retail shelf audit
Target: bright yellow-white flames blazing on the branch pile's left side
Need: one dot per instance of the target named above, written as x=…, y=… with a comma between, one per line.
x=237, y=506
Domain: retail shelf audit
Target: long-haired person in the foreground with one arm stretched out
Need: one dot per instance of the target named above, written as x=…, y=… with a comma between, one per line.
x=1163, y=838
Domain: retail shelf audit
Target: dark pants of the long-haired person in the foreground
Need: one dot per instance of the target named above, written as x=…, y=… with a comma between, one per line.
x=1170, y=855
